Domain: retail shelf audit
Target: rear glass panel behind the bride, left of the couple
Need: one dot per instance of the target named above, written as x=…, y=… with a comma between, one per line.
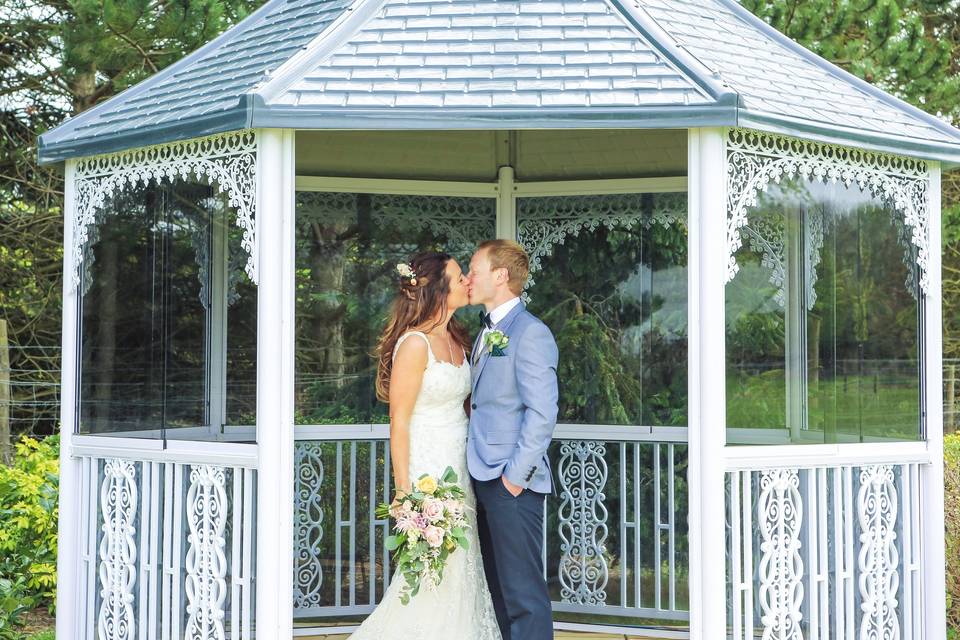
x=347, y=248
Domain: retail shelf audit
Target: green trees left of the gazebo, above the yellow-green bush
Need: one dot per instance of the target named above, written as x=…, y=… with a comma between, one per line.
x=57, y=59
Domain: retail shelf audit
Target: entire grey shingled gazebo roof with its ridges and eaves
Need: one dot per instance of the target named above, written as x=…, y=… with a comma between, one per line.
x=503, y=64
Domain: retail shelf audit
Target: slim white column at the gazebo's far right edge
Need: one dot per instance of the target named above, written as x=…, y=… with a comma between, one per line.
x=931, y=483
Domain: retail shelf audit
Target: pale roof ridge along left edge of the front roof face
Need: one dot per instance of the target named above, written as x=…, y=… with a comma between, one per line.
x=314, y=52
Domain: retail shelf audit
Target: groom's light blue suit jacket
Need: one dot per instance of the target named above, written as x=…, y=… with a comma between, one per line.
x=514, y=404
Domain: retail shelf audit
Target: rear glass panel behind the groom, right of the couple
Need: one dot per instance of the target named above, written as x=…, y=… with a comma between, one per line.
x=610, y=279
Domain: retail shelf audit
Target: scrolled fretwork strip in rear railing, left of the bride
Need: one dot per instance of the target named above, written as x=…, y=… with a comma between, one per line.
x=308, y=528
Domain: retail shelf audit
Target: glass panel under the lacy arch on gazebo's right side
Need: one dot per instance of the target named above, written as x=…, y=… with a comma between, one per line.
x=823, y=321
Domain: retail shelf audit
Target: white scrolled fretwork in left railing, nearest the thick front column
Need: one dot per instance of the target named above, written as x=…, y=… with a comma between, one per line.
x=205, y=563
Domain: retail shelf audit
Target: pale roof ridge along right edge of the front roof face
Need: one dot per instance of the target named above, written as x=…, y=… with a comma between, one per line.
x=675, y=53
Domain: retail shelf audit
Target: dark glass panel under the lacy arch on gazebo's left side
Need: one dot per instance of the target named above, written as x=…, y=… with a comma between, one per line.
x=149, y=296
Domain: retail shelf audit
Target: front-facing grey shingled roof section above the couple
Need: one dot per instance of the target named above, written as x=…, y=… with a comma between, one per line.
x=495, y=55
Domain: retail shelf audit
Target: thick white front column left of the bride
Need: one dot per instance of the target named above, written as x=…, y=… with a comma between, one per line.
x=275, y=370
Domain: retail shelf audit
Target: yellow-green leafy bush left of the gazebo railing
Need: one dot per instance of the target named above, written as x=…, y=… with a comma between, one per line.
x=28, y=531
